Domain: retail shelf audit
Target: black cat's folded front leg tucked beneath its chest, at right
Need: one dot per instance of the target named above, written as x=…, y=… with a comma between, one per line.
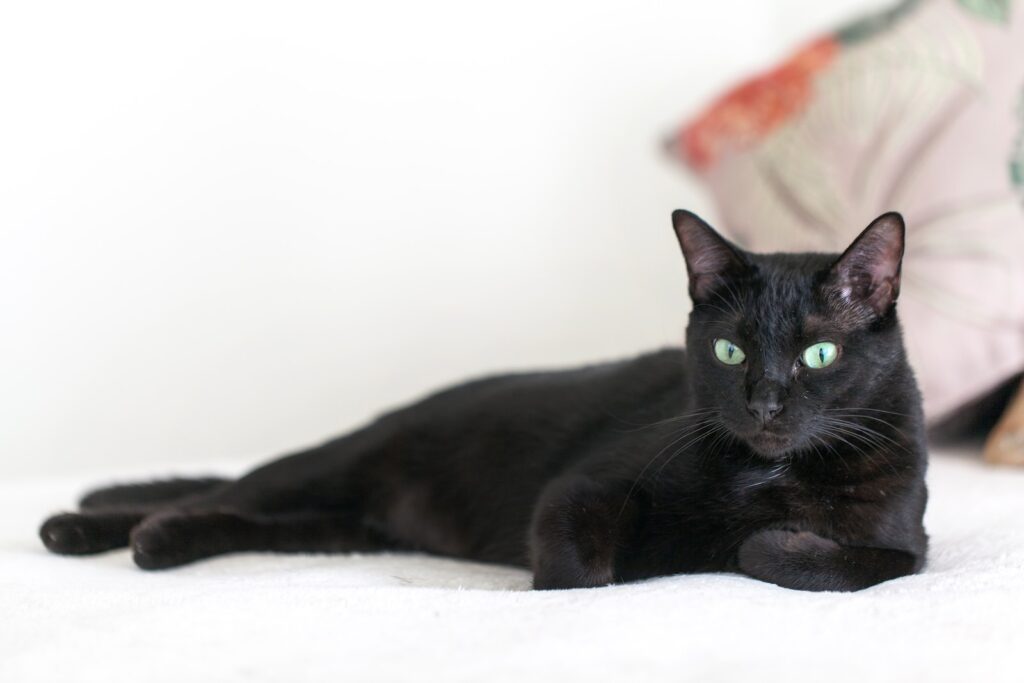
x=807, y=562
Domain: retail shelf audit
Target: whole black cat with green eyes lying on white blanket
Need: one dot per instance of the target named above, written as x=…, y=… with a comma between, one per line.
x=786, y=443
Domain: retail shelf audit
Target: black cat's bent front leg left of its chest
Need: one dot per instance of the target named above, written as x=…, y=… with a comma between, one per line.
x=576, y=534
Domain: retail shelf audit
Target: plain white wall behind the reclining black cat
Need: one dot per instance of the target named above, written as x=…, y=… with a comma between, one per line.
x=231, y=230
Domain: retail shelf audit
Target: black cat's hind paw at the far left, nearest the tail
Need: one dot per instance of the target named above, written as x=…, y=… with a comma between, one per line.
x=90, y=533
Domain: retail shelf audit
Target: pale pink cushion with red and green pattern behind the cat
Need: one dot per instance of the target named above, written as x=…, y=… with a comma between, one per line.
x=918, y=110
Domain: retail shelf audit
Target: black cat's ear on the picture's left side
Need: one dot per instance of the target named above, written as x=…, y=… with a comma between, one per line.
x=711, y=260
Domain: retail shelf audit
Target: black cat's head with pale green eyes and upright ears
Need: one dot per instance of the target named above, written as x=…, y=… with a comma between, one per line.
x=788, y=349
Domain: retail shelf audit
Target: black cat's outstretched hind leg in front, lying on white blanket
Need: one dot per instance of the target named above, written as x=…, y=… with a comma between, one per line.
x=175, y=538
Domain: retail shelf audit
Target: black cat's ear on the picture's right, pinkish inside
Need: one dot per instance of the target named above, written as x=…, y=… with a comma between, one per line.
x=868, y=274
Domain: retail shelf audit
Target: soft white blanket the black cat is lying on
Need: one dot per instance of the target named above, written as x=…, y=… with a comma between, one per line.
x=390, y=618
